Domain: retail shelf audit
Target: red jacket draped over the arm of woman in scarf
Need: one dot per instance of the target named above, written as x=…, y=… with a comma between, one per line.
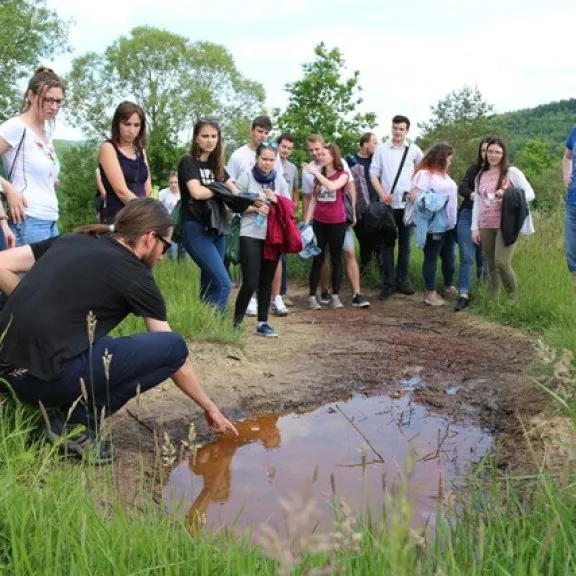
x=282, y=236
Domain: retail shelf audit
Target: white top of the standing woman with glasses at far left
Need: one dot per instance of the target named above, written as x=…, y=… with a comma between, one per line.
x=35, y=169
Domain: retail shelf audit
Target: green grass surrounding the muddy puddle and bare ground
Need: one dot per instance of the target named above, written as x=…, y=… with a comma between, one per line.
x=62, y=518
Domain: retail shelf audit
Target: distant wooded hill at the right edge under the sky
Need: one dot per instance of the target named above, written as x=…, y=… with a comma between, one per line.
x=551, y=122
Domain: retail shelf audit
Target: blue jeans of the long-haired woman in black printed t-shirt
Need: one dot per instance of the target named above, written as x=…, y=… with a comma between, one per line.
x=207, y=250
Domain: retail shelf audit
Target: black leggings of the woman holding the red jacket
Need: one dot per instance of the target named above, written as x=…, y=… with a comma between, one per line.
x=257, y=273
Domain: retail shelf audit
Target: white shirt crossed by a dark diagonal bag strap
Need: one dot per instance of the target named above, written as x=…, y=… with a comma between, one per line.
x=385, y=164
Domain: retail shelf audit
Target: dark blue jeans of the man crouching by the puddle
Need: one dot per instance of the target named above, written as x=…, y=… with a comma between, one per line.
x=137, y=362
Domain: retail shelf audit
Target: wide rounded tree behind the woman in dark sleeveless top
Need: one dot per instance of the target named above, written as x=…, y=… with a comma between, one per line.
x=174, y=80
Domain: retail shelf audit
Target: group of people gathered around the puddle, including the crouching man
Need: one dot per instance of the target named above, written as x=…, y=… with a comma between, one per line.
x=98, y=275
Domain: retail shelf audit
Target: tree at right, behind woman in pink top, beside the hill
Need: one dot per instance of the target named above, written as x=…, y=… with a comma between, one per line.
x=462, y=119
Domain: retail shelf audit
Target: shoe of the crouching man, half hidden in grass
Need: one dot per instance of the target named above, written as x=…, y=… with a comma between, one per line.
x=84, y=444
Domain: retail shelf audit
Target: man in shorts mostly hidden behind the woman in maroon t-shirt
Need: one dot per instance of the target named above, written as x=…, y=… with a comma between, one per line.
x=315, y=145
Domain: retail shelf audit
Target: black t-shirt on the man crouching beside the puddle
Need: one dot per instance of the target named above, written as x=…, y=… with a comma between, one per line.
x=46, y=317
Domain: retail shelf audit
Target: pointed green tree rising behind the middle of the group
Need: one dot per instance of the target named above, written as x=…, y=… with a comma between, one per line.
x=324, y=101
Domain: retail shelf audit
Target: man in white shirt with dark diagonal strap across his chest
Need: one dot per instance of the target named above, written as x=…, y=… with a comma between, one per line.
x=384, y=171
